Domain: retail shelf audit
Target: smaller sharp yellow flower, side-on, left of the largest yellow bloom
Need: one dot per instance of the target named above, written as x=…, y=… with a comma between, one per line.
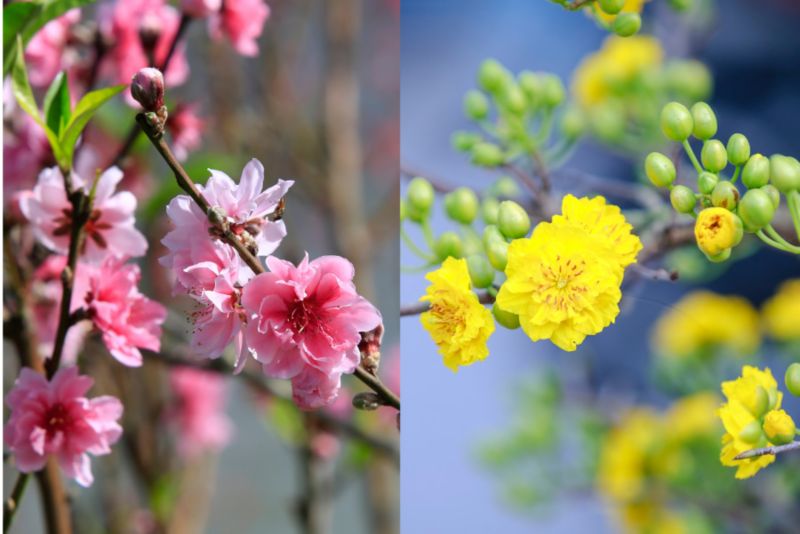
x=458, y=323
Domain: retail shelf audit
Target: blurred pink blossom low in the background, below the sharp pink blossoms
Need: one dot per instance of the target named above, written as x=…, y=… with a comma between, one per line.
x=199, y=412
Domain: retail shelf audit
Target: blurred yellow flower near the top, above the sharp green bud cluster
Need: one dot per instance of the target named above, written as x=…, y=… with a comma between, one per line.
x=617, y=64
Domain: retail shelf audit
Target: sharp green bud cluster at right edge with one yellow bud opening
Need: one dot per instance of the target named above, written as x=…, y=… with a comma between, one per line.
x=724, y=211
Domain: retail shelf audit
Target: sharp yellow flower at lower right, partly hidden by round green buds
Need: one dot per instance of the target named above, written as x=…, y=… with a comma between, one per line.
x=749, y=397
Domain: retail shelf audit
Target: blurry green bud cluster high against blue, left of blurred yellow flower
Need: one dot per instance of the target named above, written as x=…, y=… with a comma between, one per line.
x=516, y=116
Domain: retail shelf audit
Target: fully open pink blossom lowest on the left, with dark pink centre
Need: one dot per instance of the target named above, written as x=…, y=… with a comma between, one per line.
x=56, y=418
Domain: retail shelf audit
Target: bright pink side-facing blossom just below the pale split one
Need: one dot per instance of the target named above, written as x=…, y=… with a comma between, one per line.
x=127, y=319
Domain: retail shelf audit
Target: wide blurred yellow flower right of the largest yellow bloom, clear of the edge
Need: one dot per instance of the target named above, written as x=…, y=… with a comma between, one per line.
x=702, y=321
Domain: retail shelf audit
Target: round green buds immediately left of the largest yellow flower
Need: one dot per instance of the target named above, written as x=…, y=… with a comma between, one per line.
x=485, y=225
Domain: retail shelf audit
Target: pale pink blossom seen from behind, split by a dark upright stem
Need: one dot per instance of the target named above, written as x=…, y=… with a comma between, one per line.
x=110, y=229
